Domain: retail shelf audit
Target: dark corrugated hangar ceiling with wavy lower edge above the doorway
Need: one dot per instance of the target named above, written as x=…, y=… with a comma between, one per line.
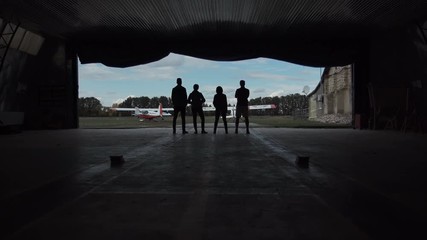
x=123, y=33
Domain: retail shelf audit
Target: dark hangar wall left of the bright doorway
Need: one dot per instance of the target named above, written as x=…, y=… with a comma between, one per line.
x=43, y=86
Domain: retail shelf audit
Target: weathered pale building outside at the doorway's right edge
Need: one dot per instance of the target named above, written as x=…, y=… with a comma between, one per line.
x=333, y=95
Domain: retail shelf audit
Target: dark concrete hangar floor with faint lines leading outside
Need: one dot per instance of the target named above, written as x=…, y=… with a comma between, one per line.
x=359, y=185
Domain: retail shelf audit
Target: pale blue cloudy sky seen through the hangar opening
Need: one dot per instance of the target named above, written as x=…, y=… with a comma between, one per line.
x=264, y=78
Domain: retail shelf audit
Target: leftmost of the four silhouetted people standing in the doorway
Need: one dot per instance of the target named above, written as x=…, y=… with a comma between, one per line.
x=179, y=101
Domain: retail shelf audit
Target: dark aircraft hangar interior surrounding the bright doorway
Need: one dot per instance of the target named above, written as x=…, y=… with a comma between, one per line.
x=379, y=192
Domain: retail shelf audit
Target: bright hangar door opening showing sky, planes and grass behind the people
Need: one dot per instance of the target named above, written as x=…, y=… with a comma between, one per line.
x=125, y=97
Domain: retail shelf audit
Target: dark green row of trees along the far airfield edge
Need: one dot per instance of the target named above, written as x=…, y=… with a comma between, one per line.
x=285, y=105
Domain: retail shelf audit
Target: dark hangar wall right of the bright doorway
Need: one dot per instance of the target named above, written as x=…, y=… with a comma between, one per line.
x=395, y=64
